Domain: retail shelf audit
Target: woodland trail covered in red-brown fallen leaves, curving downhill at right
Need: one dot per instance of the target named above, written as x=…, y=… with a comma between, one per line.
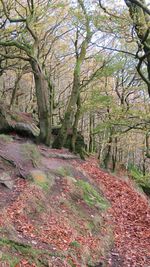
x=130, y=213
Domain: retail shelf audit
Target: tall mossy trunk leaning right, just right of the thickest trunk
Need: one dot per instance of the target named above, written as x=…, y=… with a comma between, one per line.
x=80, y=52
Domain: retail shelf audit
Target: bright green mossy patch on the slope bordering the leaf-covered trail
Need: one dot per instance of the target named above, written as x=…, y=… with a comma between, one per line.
x=91, y=196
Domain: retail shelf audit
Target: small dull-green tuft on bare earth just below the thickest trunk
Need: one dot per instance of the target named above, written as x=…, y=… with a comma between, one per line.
x=32, y=153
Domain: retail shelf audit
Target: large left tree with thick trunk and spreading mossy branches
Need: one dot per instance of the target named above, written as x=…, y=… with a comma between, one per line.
x=27, y=33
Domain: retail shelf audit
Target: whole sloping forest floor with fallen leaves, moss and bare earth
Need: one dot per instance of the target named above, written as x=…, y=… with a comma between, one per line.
x=57, y=210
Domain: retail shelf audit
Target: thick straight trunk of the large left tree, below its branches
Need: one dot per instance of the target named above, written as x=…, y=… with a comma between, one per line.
x=43, y=102
